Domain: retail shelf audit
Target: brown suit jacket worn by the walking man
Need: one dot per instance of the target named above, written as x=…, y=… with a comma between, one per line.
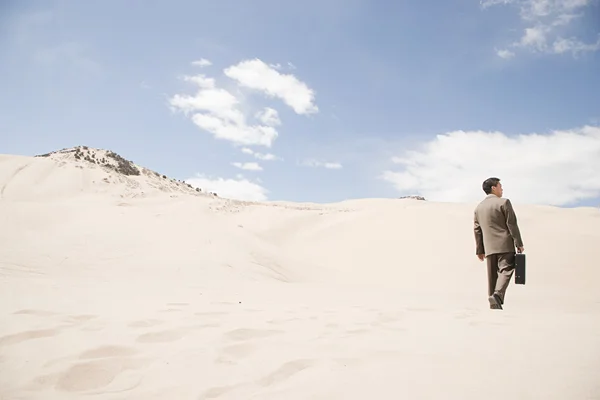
x=495, y=226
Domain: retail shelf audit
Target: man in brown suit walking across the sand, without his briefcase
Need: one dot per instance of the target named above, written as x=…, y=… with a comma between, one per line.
x=496, y=236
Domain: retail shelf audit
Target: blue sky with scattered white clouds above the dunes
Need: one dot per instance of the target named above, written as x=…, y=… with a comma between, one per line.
x=320, y=101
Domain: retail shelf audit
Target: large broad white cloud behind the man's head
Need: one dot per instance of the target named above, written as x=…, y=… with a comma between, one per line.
x=560, y=168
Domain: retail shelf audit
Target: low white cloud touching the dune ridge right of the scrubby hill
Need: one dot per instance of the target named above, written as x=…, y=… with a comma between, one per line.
x=239, y=189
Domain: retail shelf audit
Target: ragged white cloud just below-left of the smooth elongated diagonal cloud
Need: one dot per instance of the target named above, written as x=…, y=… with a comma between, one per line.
x=218, y=111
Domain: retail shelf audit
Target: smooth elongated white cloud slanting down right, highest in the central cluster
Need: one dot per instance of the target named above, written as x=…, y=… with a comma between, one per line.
x=257, y=75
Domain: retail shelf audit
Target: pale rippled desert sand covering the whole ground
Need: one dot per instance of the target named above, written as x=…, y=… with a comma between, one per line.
x=138, y=287
